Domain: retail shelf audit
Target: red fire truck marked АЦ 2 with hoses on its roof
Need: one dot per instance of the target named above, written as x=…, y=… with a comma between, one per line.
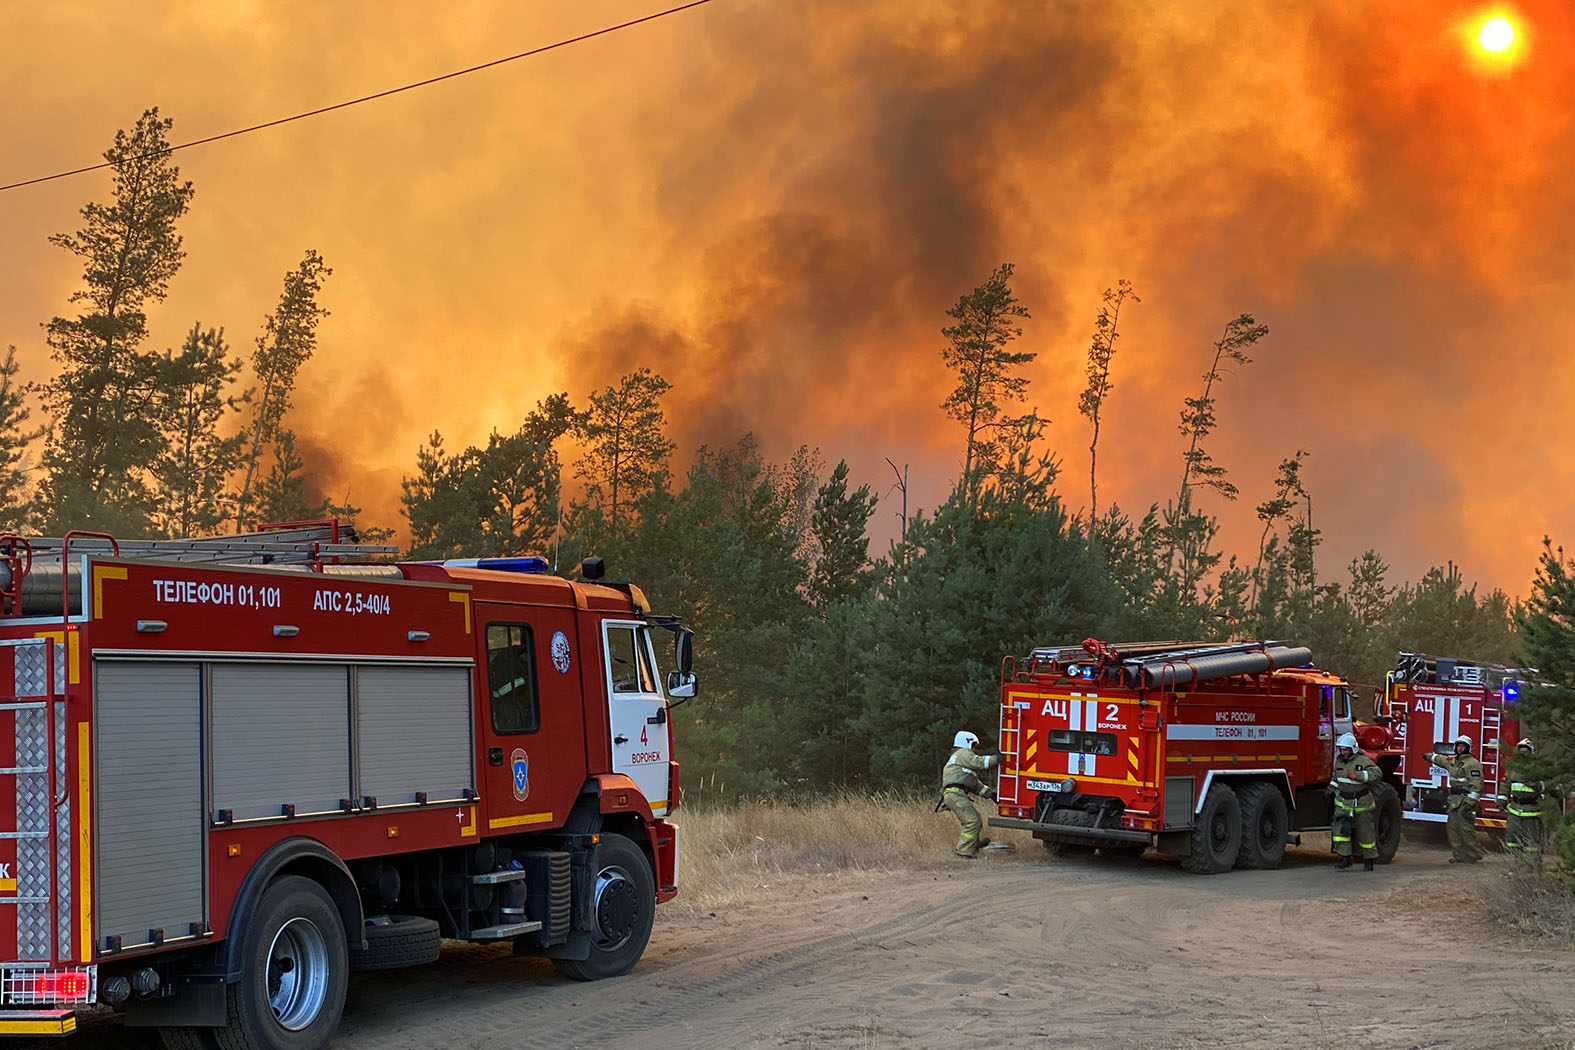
x=1220, y=753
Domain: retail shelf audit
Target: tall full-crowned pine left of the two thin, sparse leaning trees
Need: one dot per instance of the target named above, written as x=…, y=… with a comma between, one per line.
x=987, y=324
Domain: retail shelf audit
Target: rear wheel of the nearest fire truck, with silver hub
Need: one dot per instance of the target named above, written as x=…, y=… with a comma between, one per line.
x=295, y=972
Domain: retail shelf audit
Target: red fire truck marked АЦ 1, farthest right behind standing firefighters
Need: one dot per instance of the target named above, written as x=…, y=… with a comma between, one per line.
x=1431, y=701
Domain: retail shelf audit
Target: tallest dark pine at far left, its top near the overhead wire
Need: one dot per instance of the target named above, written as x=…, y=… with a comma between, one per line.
x=105, y=435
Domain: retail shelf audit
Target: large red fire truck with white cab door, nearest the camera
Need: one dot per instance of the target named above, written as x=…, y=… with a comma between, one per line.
x=245, y=767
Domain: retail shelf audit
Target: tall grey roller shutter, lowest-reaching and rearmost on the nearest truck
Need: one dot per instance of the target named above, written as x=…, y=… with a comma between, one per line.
x=149, y=797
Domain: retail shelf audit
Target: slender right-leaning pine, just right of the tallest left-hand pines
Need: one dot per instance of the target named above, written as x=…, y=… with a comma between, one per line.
x=286, y=344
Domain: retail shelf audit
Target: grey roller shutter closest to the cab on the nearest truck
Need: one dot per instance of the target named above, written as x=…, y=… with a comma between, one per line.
x=413, y=733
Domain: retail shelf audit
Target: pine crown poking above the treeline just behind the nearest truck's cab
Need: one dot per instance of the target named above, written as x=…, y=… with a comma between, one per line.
x=626, y=446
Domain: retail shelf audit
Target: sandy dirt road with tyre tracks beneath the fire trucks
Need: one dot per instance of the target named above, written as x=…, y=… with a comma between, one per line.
x=1020, y=953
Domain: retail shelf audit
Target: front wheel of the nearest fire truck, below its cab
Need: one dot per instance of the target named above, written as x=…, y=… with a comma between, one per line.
x=624, y=903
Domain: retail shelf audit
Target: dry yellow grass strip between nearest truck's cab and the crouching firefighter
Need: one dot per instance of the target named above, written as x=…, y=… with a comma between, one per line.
x=755, y=849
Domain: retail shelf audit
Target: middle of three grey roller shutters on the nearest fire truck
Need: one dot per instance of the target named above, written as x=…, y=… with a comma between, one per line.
x=281, y=736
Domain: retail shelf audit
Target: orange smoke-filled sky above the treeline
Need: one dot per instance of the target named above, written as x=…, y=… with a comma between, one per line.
x=773, y=204
